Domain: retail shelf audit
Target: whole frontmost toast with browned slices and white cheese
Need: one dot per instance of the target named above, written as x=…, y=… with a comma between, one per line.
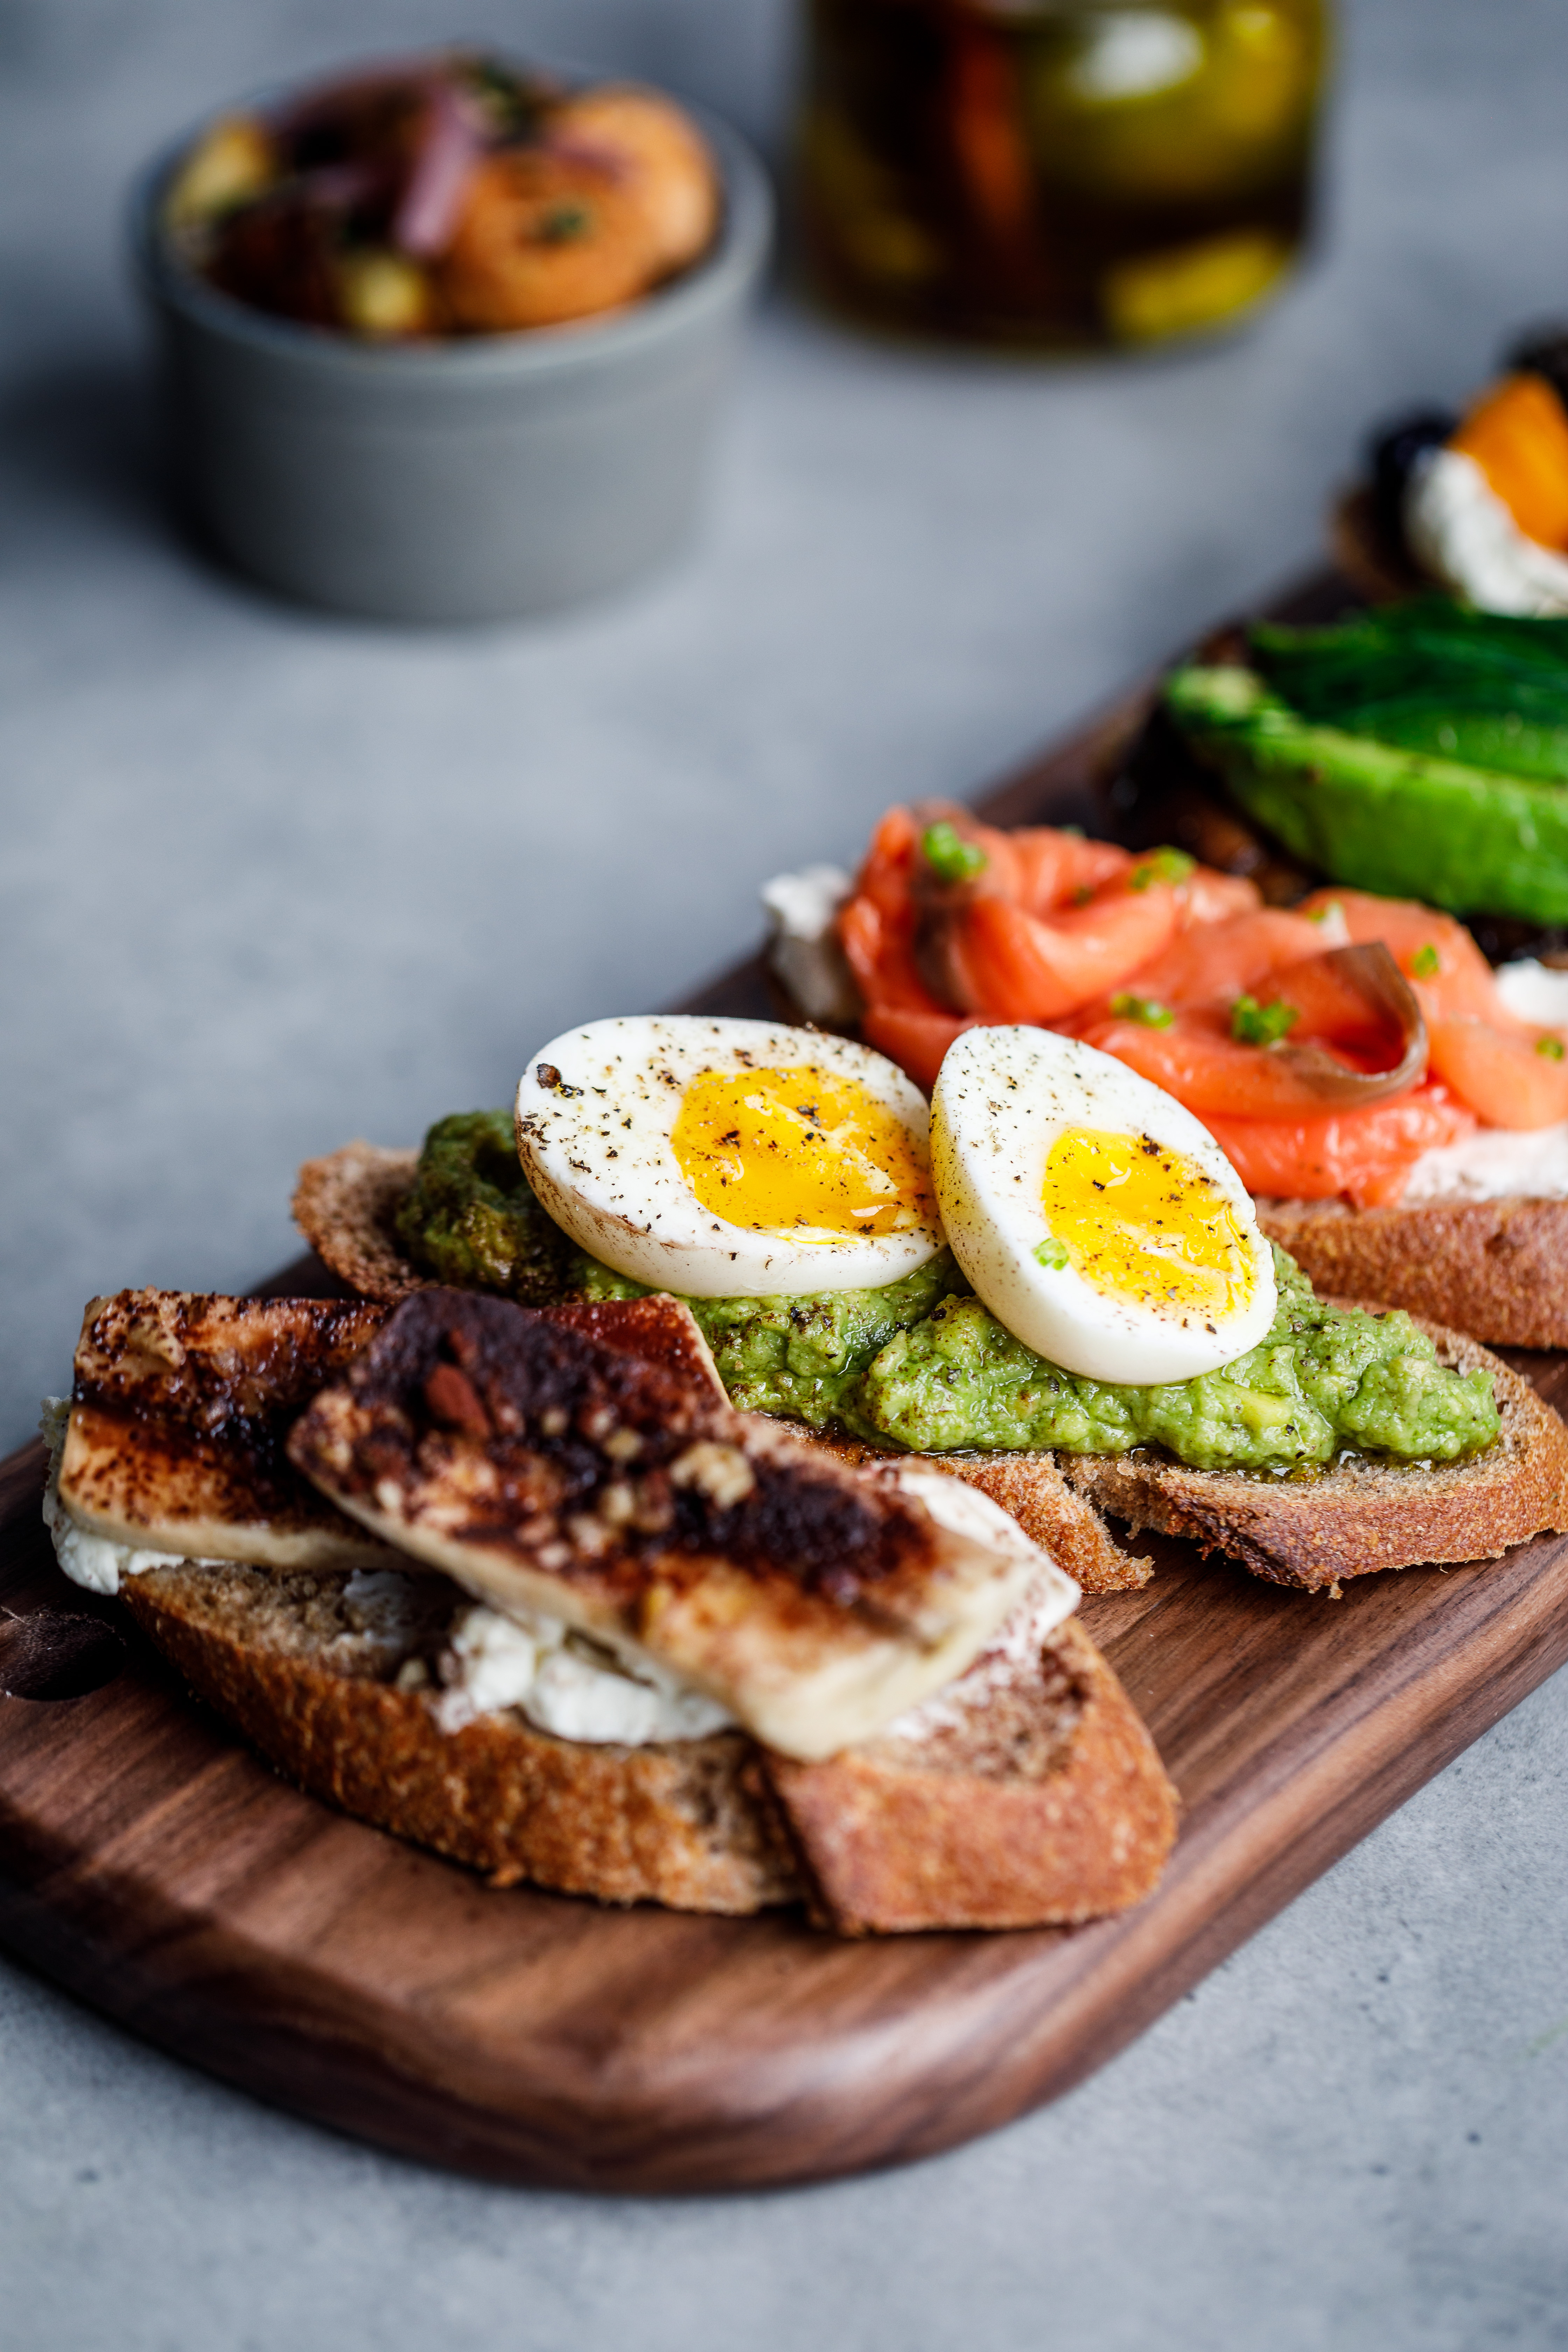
x=1019, y=1786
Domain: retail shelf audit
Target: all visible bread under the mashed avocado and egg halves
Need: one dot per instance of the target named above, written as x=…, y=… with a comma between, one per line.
x=1311, y=1532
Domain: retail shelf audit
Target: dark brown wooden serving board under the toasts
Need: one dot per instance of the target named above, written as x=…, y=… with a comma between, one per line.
x=163, y=1873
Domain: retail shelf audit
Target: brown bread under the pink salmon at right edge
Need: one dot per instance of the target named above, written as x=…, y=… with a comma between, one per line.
x=1496, y=1269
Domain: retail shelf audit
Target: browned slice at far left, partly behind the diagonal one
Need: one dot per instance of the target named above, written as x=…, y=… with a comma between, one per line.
x=177, y=1426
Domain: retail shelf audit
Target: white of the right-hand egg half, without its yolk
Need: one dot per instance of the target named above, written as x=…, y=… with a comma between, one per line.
x=1003, y=1097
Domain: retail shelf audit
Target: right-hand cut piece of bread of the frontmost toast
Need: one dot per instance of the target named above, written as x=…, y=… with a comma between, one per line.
x=1083, y=1833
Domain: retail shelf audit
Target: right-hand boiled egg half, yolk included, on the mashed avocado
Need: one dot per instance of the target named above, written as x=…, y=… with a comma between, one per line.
x=1094, y=1217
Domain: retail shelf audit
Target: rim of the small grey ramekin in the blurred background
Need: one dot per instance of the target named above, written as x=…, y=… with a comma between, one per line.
x=735, y=260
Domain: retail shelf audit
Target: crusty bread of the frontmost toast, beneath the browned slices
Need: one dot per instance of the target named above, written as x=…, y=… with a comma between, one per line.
x=1036, y=1796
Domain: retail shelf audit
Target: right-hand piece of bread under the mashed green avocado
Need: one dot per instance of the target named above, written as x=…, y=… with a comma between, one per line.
x=1358, y=1518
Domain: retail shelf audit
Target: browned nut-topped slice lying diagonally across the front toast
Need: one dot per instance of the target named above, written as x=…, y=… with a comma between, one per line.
x=544, y=1469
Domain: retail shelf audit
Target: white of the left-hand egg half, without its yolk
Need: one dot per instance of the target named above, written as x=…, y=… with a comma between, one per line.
x=594, y=1137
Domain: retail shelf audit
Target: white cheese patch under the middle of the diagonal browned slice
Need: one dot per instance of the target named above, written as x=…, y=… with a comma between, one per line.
x=565, y=1683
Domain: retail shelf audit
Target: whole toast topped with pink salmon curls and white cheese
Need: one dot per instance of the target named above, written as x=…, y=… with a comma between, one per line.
x=1374, y=1125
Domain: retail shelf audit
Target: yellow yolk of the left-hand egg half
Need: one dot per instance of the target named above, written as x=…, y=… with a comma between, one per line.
x=800, y=1151
